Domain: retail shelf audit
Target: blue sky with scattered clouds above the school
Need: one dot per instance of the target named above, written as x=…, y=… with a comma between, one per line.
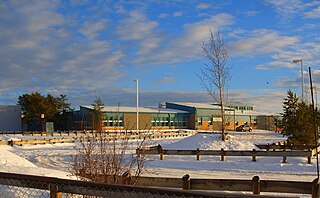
x=87, y=49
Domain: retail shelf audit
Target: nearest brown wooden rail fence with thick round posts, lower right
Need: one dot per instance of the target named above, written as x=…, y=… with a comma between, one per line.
x=255, y=185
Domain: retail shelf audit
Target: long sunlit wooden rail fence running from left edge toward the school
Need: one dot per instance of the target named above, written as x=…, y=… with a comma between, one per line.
x=93, y=137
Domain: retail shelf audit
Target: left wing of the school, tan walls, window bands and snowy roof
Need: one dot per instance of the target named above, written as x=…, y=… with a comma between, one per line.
x=125, y=118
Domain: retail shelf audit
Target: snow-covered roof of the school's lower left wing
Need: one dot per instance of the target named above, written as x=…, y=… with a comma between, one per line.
x=115, y=109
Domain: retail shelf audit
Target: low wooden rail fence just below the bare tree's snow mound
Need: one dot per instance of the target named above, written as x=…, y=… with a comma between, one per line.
x=223, y=153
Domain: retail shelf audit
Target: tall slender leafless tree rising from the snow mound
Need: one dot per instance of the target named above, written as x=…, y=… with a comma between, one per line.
x=215, y=73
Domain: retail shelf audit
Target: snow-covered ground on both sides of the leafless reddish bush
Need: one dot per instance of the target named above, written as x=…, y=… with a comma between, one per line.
x=55, y=159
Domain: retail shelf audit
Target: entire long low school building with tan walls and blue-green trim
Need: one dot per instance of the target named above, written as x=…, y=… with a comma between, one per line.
x=173, y=115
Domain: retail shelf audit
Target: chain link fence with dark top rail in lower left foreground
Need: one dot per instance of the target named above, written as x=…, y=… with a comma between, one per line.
x=27, y=186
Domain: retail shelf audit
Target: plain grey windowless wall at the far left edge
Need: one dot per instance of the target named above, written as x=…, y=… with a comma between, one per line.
x=10, y=118
